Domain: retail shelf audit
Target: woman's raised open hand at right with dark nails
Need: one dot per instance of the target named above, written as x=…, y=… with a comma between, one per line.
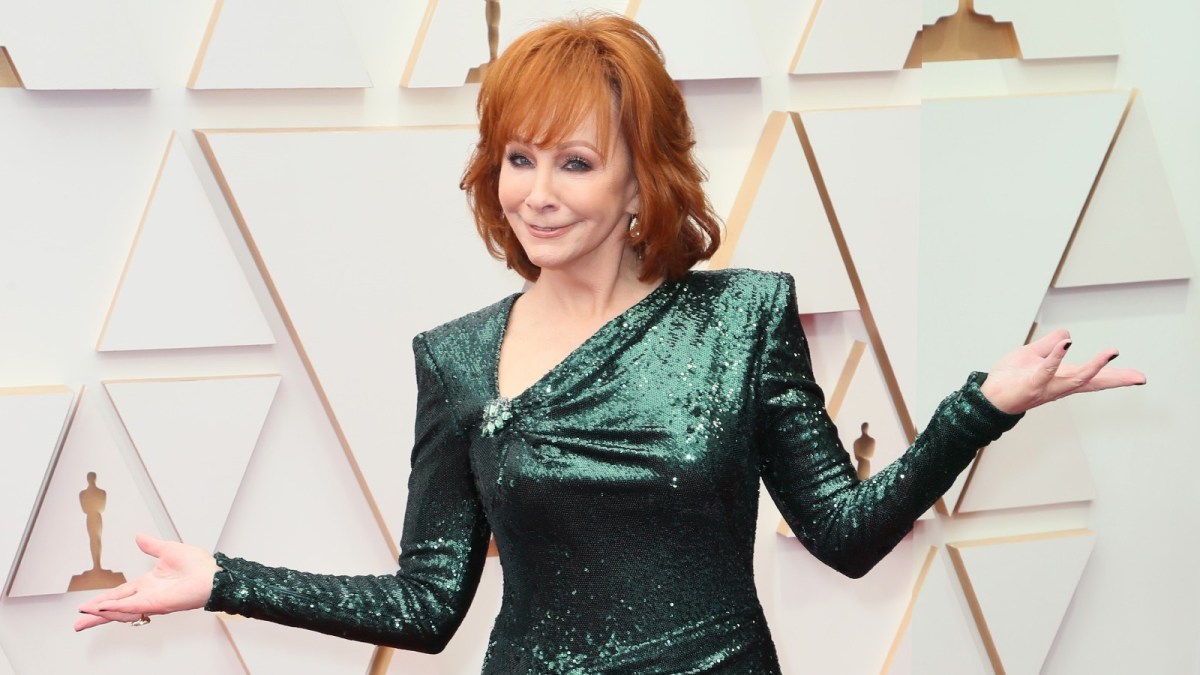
x=1036, y=375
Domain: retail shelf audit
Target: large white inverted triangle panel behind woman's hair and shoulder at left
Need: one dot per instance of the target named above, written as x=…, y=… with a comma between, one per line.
x=347, y=270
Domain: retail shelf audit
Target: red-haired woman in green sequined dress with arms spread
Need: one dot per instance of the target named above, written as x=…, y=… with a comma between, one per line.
x=613, y=423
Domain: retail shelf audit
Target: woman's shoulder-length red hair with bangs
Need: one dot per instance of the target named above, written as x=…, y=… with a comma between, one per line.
x=544, y=87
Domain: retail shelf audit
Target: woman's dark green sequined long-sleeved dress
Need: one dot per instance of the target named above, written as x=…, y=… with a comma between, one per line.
x=623, y=491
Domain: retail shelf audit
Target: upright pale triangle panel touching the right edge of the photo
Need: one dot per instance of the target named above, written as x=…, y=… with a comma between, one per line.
x=1131, y=231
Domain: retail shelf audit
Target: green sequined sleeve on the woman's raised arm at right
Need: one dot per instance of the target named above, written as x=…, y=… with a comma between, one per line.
x=847, y=523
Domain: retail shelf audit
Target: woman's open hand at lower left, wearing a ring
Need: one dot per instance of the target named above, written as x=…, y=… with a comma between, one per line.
x=183, y=580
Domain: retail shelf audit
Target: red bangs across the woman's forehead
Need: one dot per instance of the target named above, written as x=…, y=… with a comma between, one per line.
x=549, y=93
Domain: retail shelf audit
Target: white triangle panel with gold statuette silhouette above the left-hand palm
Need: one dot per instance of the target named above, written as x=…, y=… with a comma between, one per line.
x=93, y=509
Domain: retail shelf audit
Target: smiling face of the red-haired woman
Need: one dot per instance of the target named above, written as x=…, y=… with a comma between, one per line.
x=567, y=206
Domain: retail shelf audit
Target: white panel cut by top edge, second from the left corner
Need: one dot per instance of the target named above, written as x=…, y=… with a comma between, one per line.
x=297, y=46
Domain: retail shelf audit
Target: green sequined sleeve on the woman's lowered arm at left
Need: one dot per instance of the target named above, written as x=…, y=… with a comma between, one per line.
x=443, y=549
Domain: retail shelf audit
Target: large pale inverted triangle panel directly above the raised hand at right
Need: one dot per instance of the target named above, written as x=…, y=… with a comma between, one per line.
x=1004, y=180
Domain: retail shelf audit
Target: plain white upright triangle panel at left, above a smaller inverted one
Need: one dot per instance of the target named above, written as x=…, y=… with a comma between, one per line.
x=183, y=286
